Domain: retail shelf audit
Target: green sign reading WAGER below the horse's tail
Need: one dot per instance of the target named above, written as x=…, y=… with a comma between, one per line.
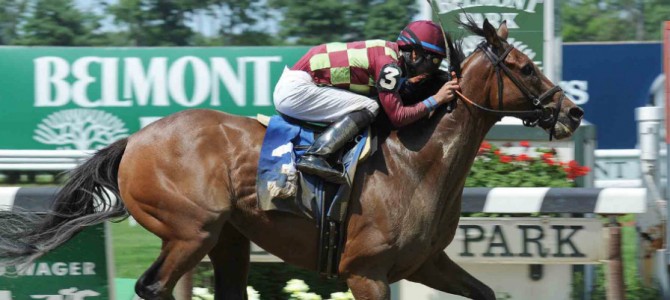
x=76, y=271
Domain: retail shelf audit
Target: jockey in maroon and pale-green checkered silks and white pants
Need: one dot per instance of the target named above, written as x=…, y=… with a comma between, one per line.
x=334, y=82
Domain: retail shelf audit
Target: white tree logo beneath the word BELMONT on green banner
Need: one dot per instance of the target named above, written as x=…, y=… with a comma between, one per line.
x=80, y=129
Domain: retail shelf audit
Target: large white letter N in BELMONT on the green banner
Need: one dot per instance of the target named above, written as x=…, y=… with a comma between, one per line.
x=223, y=72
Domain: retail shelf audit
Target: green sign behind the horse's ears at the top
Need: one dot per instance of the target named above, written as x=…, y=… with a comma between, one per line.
x=525, y=21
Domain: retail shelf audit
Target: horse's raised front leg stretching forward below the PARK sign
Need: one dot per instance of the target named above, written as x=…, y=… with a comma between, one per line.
x=441, y=273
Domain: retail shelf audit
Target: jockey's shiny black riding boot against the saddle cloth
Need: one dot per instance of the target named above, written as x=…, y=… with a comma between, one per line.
x=336, y=135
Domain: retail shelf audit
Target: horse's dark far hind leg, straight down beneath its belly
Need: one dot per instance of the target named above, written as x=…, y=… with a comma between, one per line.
x=230, y=259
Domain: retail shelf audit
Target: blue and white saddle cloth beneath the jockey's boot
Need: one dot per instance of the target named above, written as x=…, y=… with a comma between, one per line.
x=281, y=187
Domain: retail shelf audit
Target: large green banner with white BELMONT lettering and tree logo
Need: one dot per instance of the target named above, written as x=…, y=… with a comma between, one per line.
x=86, y=98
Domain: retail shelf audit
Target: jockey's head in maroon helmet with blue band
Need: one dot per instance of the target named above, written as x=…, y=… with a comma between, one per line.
x=426, y=40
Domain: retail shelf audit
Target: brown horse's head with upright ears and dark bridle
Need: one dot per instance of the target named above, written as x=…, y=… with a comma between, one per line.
x=505, y=82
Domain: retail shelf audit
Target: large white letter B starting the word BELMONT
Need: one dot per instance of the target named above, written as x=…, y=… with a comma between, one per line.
x=50, y=72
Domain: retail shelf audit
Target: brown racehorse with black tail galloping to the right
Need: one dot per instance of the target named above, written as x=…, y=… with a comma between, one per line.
x=189, y=178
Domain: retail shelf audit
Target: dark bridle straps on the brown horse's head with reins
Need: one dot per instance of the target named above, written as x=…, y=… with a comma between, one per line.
x=544, y=116
